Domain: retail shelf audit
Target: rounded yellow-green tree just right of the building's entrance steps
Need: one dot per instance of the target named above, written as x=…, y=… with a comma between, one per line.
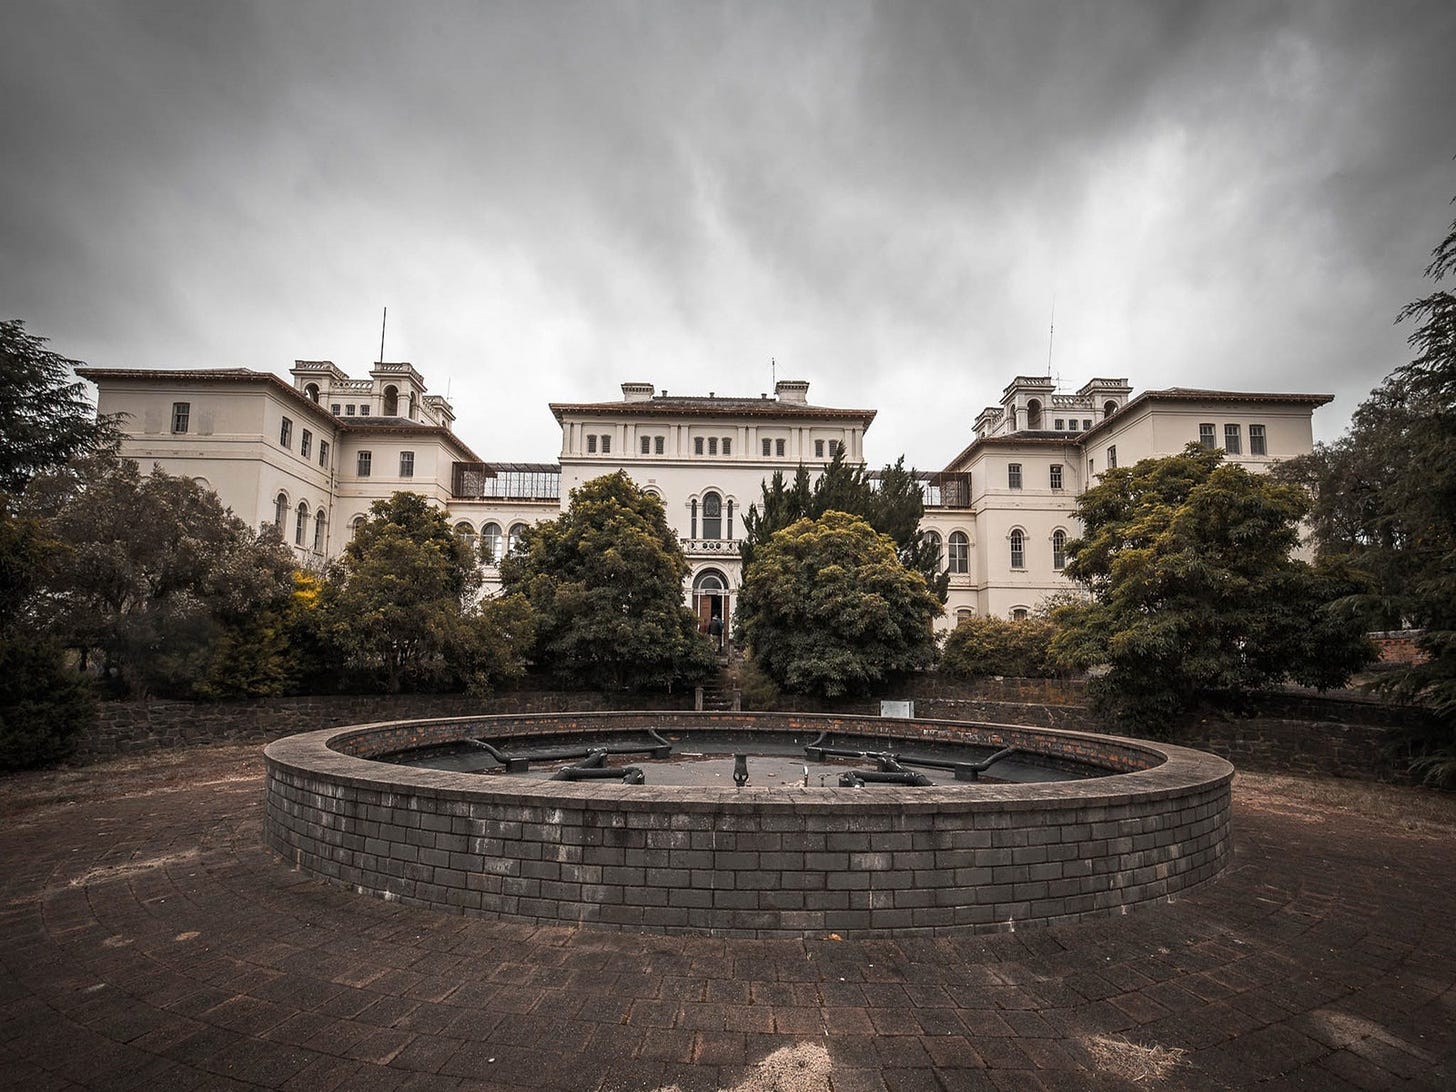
x=829, y=609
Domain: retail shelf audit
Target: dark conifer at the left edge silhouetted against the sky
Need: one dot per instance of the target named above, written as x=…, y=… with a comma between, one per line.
x=44, y=416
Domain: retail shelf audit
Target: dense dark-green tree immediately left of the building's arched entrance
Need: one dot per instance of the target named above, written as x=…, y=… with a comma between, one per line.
x=606, y=585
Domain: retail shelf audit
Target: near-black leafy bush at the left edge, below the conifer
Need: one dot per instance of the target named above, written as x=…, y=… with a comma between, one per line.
x=44, y=704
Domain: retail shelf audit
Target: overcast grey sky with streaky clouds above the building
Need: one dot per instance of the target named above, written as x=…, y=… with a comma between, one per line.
x=887, y=199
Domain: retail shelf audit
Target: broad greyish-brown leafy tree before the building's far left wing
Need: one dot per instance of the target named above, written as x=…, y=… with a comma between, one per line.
x=155, y=579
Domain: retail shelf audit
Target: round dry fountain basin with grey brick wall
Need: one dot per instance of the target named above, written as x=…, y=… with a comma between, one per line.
x=777, y=857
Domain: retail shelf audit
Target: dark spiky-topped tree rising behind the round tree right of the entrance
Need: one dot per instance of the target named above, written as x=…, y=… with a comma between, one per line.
x=893, y=506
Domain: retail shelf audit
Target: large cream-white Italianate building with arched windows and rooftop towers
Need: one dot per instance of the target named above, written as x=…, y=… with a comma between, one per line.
x=312, y=458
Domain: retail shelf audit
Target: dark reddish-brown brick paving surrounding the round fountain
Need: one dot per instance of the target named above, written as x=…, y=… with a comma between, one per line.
x=148, y=940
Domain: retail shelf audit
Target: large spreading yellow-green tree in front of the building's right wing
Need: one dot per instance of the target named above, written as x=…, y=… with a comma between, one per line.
x=1195, y=590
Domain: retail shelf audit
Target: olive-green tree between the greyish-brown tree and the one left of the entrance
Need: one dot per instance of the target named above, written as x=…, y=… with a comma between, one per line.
x=398, y=606
